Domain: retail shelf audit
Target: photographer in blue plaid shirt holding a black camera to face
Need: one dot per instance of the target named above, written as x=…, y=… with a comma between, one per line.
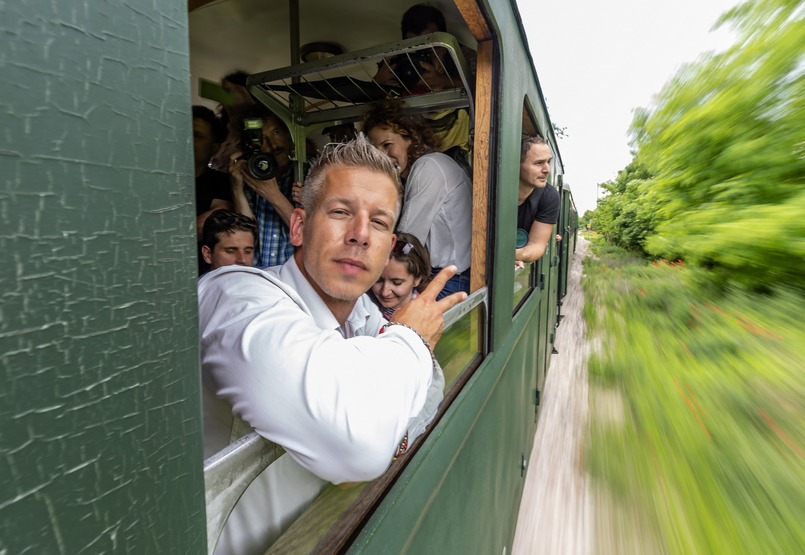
x=264, y=190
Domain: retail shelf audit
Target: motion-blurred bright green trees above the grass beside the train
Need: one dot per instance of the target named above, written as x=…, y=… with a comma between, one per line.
x=719, y=166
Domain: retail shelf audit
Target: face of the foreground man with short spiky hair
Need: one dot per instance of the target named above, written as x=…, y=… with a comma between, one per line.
x=348, y=235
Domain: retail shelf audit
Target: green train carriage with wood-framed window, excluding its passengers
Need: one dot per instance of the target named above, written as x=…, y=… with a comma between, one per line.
x=101, y=440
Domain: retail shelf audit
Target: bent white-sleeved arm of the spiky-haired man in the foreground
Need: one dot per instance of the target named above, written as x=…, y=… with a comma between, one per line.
x=338, y=406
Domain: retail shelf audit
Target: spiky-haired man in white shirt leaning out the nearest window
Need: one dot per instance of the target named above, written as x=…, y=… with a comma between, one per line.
x=300, y=354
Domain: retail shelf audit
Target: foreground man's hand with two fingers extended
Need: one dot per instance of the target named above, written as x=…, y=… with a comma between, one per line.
x=425, y=314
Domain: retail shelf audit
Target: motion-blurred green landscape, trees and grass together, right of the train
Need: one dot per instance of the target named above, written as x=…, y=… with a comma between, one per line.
x=694, y=294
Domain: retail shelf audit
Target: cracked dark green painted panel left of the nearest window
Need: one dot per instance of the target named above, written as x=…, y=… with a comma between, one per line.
x=100, y=444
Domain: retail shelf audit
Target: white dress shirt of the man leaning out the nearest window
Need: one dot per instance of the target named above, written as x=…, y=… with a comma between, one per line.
x=338, y=399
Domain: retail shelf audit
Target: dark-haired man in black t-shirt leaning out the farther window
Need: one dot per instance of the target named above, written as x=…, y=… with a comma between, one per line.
x=537, y=203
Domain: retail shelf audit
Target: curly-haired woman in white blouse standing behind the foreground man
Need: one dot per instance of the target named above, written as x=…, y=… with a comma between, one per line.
x=437, y=205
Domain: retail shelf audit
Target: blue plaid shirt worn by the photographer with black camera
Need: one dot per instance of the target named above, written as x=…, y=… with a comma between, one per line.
x=275, y=247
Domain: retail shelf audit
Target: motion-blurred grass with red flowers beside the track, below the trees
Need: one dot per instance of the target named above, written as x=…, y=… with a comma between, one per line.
x=710, y=446
